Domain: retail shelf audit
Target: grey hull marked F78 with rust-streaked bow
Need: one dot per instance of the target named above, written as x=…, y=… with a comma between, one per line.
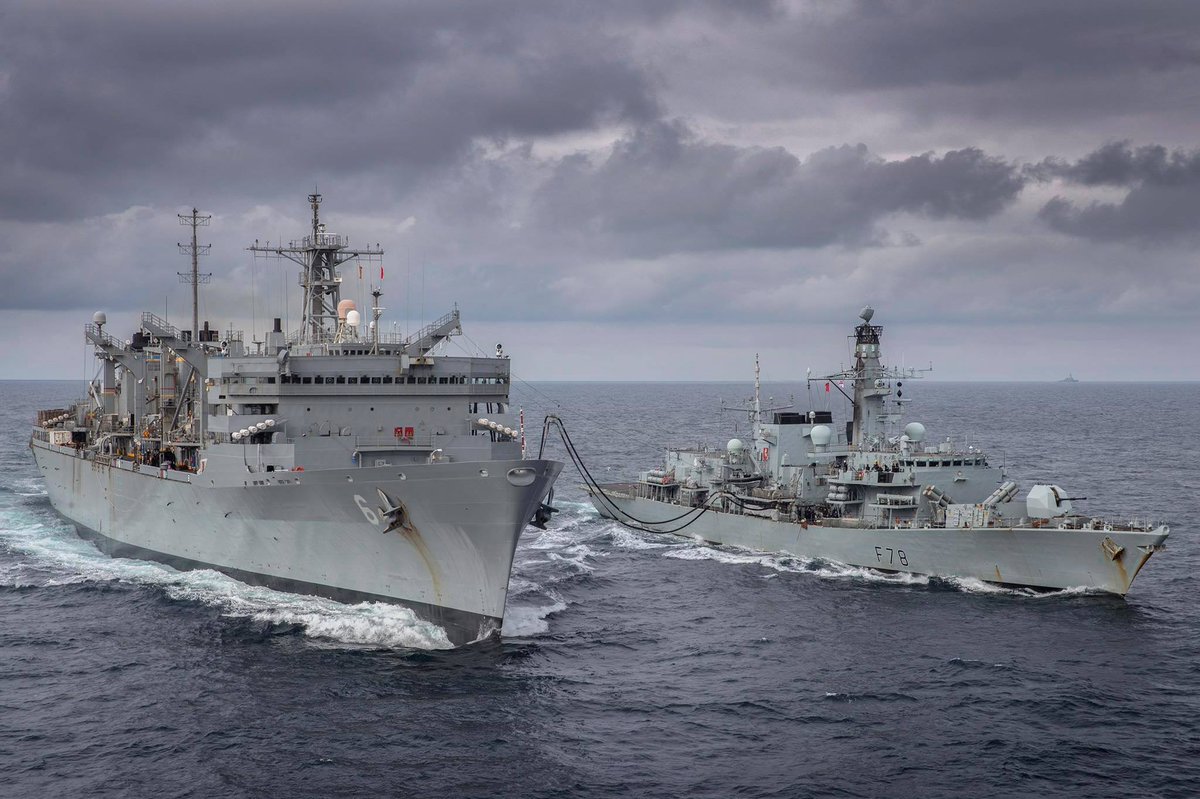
x=1043, y=558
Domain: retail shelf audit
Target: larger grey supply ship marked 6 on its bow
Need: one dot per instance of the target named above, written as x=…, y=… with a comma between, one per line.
x=337, y=462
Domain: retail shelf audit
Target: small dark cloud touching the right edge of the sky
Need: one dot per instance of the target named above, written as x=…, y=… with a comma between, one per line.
x=1162, y=201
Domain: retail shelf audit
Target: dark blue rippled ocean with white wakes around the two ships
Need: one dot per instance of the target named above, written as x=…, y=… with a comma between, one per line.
x=632, y=665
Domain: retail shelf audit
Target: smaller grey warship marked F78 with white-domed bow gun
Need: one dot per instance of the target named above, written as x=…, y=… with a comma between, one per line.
x=878, y=496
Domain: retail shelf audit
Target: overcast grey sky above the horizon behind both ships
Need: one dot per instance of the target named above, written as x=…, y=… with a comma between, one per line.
x=623, y=190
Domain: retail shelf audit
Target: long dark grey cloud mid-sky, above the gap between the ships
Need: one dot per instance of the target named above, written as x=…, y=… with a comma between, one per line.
x=665, y=190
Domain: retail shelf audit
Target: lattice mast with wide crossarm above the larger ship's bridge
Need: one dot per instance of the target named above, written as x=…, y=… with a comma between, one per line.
x=320, y=255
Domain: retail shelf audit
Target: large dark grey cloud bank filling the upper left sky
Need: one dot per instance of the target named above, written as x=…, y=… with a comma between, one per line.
x=104, y=100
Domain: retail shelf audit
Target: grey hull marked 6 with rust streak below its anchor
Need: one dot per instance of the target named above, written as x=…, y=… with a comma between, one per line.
x=321, y=532
